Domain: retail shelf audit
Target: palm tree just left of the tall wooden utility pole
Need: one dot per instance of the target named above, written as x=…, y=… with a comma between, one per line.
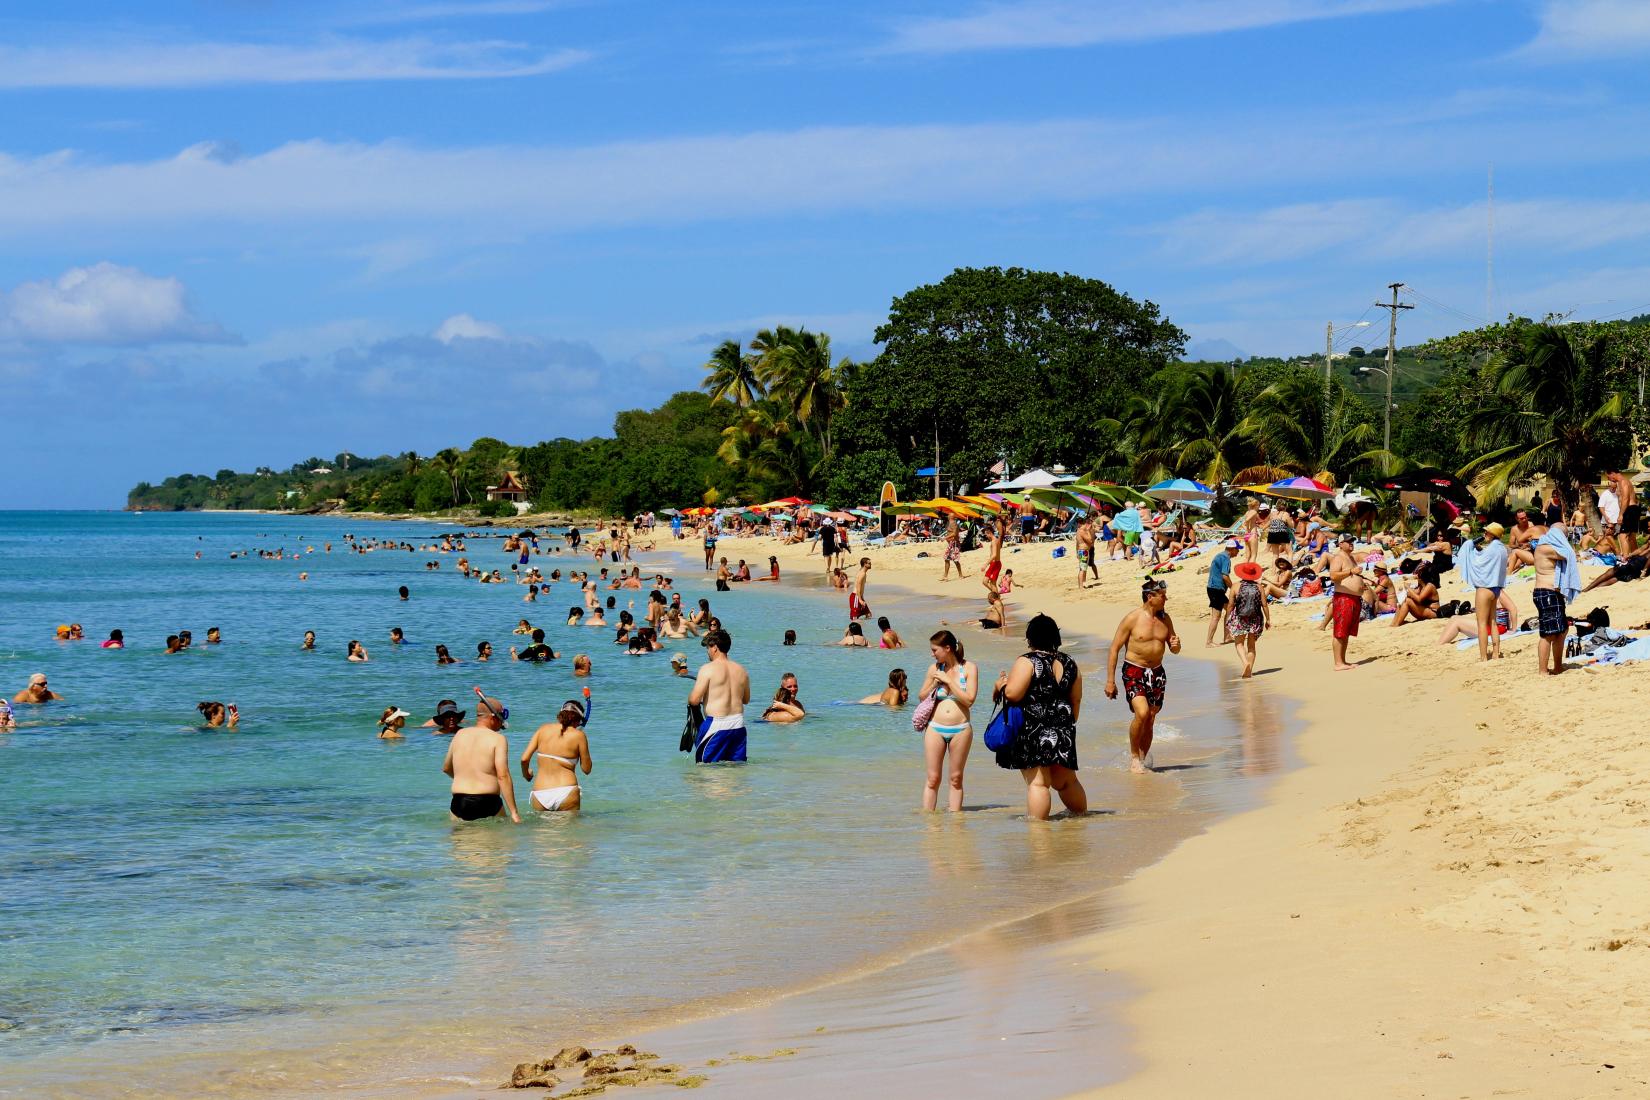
x=1301, y=433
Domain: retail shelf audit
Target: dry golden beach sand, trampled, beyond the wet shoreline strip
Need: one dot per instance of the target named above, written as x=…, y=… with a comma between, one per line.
x=1448, y=900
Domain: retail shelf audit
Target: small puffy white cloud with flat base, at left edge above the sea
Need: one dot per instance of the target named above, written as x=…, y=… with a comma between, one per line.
x=105, y=304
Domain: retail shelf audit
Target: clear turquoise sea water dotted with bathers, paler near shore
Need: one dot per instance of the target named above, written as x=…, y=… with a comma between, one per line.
x=171, y=893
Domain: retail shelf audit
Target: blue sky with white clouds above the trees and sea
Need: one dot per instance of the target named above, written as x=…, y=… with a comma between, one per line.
x=237, y=233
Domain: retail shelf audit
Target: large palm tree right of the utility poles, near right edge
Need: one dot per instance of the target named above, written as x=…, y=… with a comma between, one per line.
x=1552, y=411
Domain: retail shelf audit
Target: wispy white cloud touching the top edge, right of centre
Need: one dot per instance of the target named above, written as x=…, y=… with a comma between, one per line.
x=1065, y=24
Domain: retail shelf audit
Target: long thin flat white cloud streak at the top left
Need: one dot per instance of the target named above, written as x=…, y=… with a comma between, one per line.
x=154, y=63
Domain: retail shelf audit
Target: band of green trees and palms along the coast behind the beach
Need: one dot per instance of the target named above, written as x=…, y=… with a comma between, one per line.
x=1025, y=369
